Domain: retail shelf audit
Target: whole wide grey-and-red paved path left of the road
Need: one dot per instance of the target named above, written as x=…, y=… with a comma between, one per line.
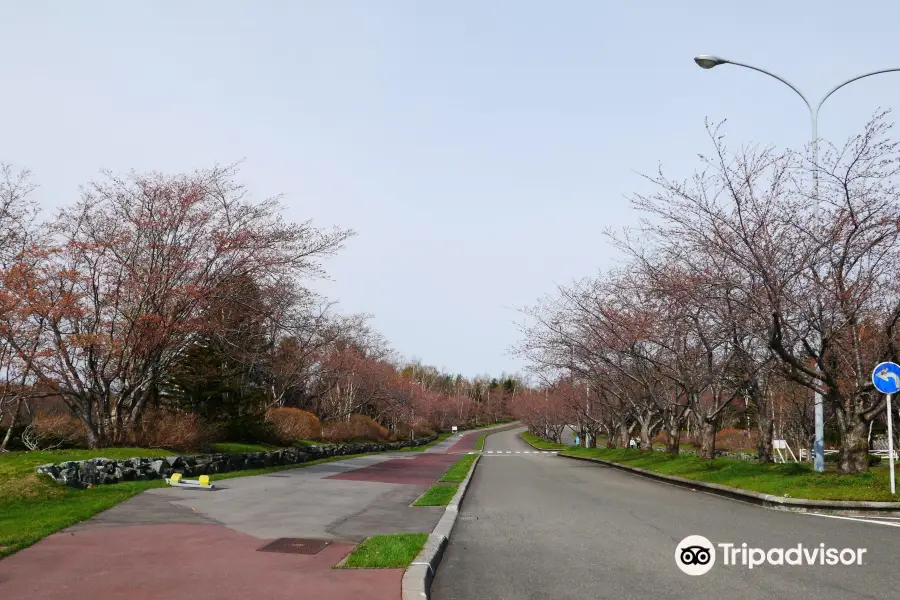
x=178, y=543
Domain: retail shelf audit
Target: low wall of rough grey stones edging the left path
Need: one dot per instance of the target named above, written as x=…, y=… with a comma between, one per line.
x=97, y=471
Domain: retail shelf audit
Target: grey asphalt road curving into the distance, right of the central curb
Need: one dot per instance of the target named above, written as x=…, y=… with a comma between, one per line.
x=544, y=527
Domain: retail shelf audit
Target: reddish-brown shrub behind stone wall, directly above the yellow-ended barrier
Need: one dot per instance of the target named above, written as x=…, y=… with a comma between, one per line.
x=173, y=430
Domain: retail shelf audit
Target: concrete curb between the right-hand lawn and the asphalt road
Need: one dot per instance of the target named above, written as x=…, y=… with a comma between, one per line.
x=765, y=500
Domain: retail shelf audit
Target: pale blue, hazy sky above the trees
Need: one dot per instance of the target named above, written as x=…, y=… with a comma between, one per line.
x=479, y=148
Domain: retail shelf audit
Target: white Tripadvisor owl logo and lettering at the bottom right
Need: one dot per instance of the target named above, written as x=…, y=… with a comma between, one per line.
x=696, y=555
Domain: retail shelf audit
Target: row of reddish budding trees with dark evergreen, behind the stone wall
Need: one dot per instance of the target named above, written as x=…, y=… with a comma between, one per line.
x=159, y=294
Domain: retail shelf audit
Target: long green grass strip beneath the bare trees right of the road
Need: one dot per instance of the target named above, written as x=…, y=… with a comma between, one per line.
x=795, y=480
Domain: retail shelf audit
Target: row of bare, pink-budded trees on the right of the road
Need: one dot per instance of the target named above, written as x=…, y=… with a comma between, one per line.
x=743, y=293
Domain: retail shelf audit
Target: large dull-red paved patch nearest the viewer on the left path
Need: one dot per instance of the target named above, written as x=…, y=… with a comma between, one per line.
x=176, y=561
